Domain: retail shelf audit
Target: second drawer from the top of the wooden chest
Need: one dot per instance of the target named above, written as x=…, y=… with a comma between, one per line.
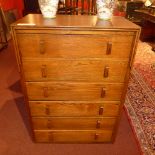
x=77, y=70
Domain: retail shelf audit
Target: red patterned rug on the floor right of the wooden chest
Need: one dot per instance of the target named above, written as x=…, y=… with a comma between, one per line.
x=140, y=99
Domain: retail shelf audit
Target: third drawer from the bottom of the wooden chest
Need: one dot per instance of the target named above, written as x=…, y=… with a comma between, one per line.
x=77, y=108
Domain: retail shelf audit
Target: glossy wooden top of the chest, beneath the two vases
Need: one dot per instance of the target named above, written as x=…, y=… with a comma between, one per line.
x=74, y=21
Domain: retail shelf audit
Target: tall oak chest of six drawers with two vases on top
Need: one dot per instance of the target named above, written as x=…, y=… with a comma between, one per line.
x=74, y=75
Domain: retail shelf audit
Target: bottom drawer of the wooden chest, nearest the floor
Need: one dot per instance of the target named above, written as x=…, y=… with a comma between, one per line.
x=68, y=136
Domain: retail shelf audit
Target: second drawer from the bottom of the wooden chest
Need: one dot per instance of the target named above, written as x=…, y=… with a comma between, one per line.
x=67, y=123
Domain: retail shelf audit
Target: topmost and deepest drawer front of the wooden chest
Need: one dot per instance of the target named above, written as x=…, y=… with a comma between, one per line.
x=74, y=45
